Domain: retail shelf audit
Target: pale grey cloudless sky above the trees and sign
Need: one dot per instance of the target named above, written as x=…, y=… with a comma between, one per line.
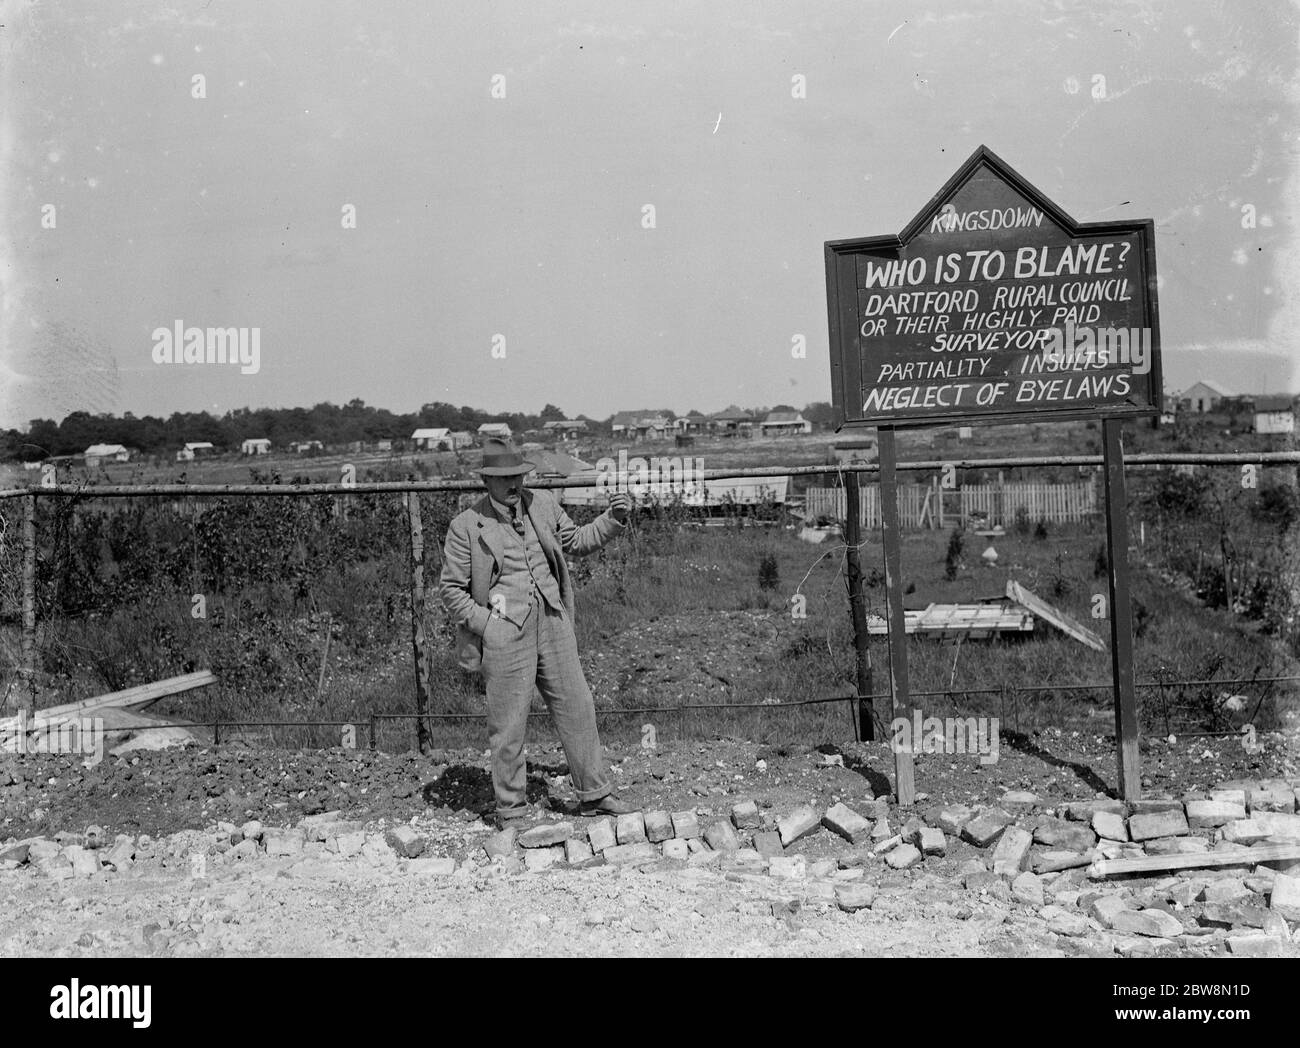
x=600, y=206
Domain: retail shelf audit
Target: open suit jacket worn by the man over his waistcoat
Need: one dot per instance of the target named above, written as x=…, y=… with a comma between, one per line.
x=473, y=558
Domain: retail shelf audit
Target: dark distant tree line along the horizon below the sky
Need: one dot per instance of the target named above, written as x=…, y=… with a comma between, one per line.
x=327, y=423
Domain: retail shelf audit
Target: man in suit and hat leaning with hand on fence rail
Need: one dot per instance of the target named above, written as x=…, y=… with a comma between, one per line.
x=508, y=588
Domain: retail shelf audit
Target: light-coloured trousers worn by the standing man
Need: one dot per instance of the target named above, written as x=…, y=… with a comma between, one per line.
x=543, y=653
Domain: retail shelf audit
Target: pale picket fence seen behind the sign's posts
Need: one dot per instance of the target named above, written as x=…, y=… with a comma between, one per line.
x=930, y=506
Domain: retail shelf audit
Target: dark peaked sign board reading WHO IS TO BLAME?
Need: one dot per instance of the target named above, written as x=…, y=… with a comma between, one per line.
x=994, y=305
